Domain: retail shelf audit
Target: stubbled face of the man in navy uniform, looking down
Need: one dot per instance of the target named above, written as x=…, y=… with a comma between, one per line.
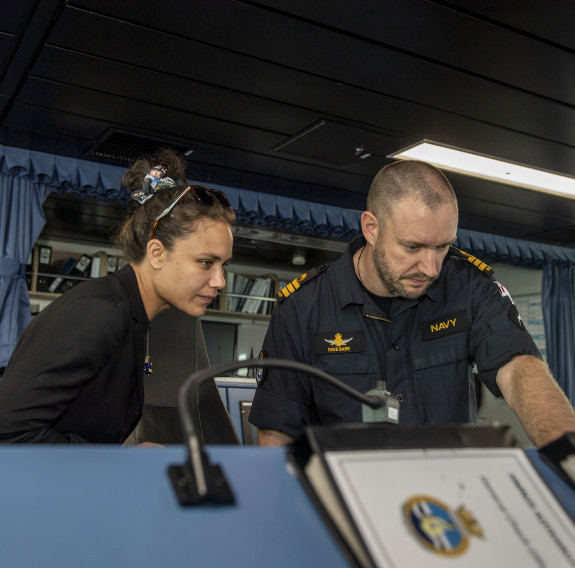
x=410, y=249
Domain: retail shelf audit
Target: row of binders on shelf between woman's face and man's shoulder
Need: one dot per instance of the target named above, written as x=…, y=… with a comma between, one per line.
x=250, y=294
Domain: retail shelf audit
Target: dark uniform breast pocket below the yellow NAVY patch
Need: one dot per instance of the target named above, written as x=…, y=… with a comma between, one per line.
x=442, y=379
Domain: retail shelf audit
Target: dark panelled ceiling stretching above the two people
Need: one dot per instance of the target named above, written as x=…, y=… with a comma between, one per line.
x=279, y=96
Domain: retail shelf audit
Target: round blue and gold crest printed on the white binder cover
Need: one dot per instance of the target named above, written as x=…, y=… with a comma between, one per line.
x=437, y=527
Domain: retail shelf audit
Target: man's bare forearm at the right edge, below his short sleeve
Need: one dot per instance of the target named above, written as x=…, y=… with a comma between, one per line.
x=538, y=401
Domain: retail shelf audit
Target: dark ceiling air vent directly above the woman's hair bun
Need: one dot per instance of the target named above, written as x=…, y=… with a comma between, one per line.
x=126, y=147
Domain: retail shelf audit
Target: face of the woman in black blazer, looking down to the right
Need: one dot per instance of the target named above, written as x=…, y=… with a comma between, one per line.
x=192, y=272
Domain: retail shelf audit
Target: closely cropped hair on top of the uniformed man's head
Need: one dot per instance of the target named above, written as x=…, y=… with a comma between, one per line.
x=409, y=178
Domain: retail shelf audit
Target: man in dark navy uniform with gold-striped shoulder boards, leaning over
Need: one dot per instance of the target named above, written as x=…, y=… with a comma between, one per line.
x=404, y=307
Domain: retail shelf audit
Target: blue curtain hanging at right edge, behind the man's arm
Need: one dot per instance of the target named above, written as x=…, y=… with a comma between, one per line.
x=559, y=317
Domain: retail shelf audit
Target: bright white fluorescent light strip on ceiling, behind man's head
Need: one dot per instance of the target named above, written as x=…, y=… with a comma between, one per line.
x=484, y=167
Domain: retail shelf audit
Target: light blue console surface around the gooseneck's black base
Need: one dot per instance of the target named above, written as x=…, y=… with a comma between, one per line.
x=94, y=507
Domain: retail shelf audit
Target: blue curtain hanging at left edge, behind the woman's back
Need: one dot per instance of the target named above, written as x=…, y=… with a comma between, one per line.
x=21, y=221
